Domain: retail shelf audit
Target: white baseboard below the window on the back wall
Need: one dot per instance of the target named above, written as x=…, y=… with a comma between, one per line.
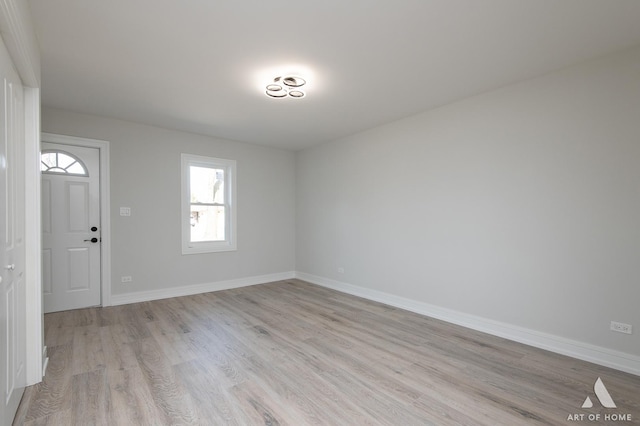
x=165, y=293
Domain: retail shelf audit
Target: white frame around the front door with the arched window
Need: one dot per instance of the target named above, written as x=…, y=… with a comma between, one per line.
x=105, y=209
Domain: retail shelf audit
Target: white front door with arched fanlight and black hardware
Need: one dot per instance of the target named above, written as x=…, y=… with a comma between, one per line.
x=70, y=226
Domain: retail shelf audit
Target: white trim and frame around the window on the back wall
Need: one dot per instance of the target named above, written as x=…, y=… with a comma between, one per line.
x=230, y=244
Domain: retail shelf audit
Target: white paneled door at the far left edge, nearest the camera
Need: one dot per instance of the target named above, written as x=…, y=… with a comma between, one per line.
x=12, y=251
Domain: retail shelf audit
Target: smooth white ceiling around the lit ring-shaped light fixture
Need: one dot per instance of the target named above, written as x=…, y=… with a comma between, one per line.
x=201, y=65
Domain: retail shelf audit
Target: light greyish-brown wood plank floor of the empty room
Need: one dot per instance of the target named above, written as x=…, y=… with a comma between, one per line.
x=298, y=354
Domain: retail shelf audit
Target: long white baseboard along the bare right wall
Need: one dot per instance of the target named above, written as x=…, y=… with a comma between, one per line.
x=580, y=350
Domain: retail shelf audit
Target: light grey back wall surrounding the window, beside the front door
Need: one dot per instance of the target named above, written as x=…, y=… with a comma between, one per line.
x=145, y=175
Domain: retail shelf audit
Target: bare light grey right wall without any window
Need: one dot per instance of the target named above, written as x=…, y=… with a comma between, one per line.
x=520, y=205
